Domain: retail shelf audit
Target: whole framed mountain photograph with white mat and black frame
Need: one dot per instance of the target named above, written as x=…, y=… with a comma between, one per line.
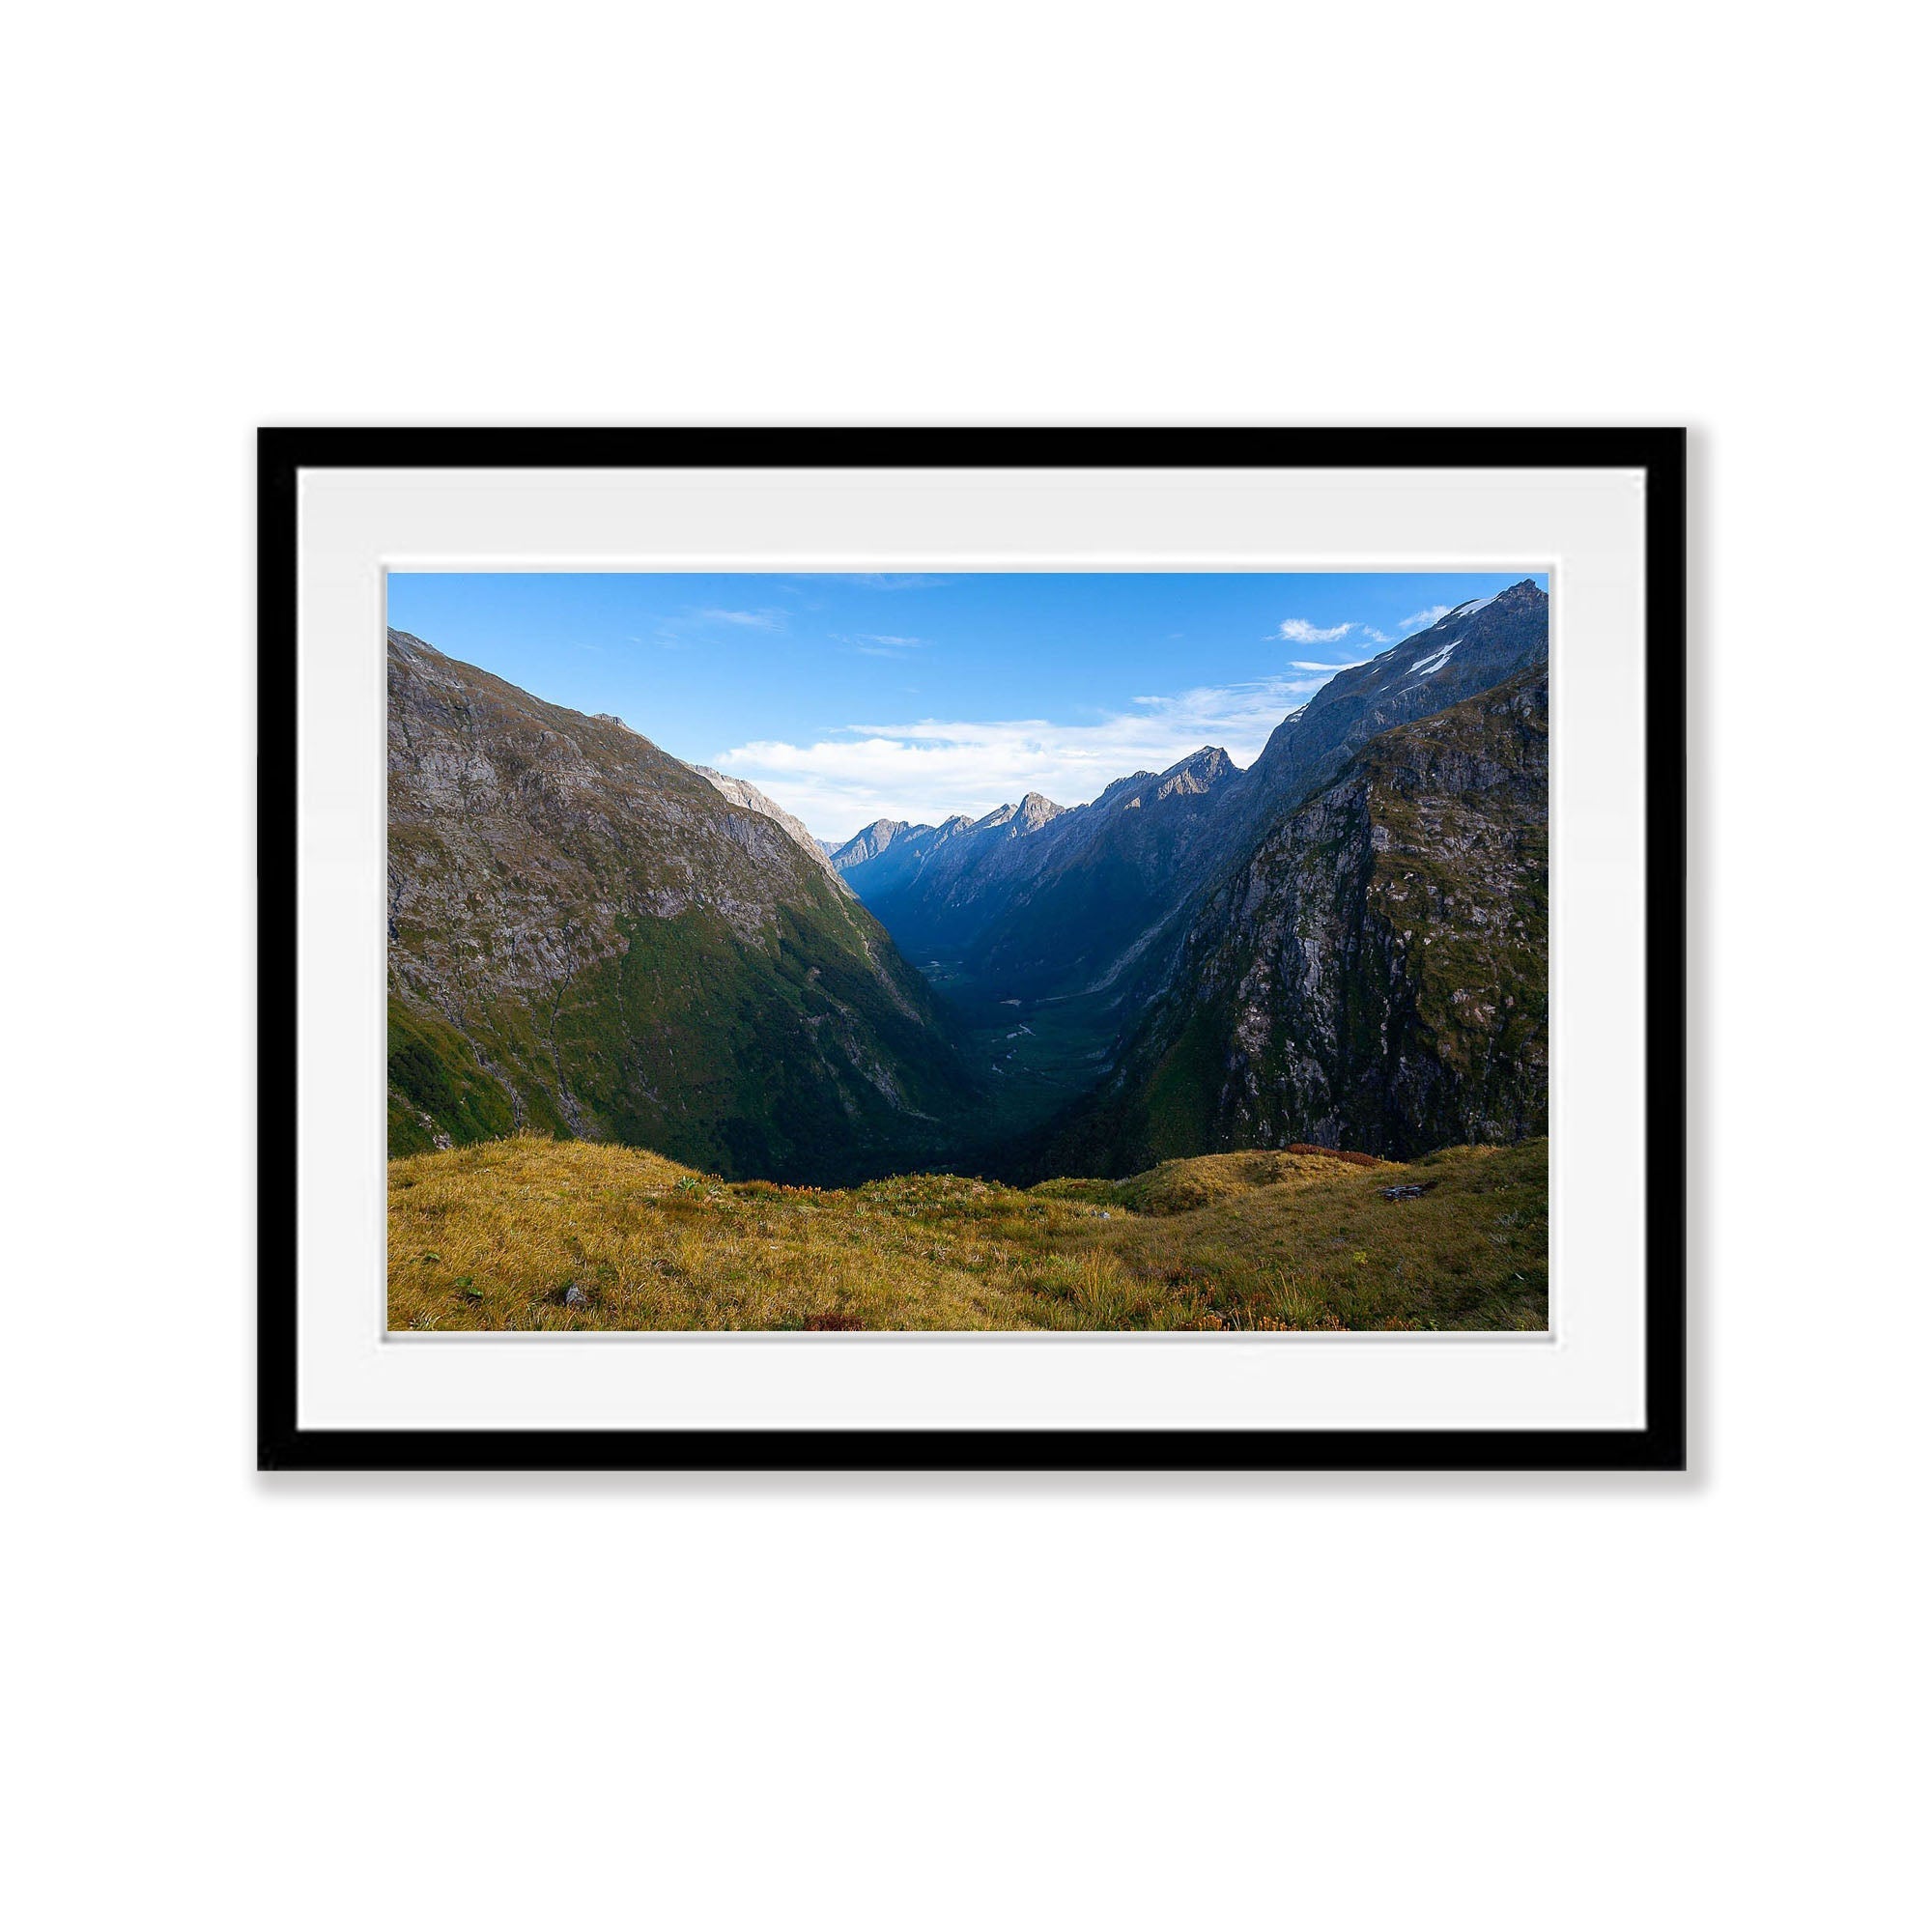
x=973, y=950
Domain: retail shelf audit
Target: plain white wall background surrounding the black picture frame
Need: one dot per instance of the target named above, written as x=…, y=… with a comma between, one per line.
x=1332, y=1703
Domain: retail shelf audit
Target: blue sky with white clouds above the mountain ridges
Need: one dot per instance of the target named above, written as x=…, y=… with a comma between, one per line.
x=921, y=696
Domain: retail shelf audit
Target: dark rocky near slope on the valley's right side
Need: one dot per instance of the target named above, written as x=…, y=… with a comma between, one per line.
x=1371, y=975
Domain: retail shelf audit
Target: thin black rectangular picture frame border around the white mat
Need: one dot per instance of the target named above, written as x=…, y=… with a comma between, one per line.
x=1659, y=1446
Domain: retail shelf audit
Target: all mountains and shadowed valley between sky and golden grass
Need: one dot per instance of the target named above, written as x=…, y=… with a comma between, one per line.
x=1342, y=944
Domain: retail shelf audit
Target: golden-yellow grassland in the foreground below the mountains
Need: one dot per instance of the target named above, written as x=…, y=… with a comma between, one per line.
x=530, y=1234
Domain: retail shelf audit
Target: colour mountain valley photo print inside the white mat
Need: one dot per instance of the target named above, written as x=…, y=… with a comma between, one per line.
x=1093, y=952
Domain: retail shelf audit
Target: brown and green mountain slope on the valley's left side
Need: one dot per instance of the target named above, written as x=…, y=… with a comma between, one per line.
x=592, y=938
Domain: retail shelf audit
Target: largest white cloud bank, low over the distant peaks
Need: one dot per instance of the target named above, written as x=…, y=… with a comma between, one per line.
x=934, y=768
